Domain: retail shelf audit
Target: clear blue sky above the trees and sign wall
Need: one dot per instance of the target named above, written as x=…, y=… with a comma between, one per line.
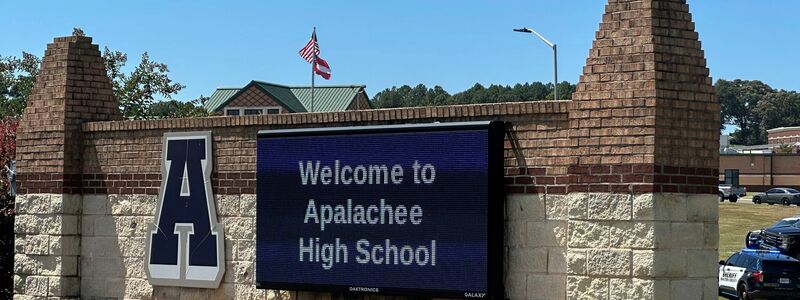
x=390, y=43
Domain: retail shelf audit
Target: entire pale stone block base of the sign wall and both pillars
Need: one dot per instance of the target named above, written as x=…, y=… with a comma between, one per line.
x=576, y=246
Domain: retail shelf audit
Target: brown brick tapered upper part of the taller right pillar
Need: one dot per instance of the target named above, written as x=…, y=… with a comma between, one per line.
x=643, y=92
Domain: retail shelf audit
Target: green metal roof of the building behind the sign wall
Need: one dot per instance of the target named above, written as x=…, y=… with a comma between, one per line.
x=295, y=99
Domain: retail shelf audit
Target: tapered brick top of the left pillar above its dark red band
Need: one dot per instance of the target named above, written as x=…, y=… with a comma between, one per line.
x=71, y=88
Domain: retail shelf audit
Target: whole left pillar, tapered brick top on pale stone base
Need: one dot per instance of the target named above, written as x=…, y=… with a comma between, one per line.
x=71, y=88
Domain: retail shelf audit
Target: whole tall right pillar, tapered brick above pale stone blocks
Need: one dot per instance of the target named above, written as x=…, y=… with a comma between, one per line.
x=643, y=212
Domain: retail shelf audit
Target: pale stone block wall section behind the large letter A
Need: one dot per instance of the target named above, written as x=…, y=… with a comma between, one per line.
x=113, y=235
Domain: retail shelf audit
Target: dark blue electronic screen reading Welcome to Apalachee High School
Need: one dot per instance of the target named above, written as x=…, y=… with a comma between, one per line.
x=386, y=210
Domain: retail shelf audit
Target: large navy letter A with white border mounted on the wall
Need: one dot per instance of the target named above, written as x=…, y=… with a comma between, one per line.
x=185, y=242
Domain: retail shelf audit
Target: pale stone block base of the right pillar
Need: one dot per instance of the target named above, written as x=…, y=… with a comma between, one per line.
x=652, y=246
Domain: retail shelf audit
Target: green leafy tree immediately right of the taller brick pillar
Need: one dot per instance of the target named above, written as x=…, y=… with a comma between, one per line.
x=738, y=101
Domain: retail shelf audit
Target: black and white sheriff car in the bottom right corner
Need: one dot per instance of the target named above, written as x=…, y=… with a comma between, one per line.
x=759, y=274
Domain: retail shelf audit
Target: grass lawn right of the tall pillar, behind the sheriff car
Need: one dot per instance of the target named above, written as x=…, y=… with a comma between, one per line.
x=736, y=219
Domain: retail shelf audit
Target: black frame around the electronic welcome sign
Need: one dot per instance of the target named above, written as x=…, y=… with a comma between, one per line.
x=495, y=206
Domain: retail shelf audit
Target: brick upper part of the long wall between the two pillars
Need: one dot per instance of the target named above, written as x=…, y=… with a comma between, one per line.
x=123, y=157
